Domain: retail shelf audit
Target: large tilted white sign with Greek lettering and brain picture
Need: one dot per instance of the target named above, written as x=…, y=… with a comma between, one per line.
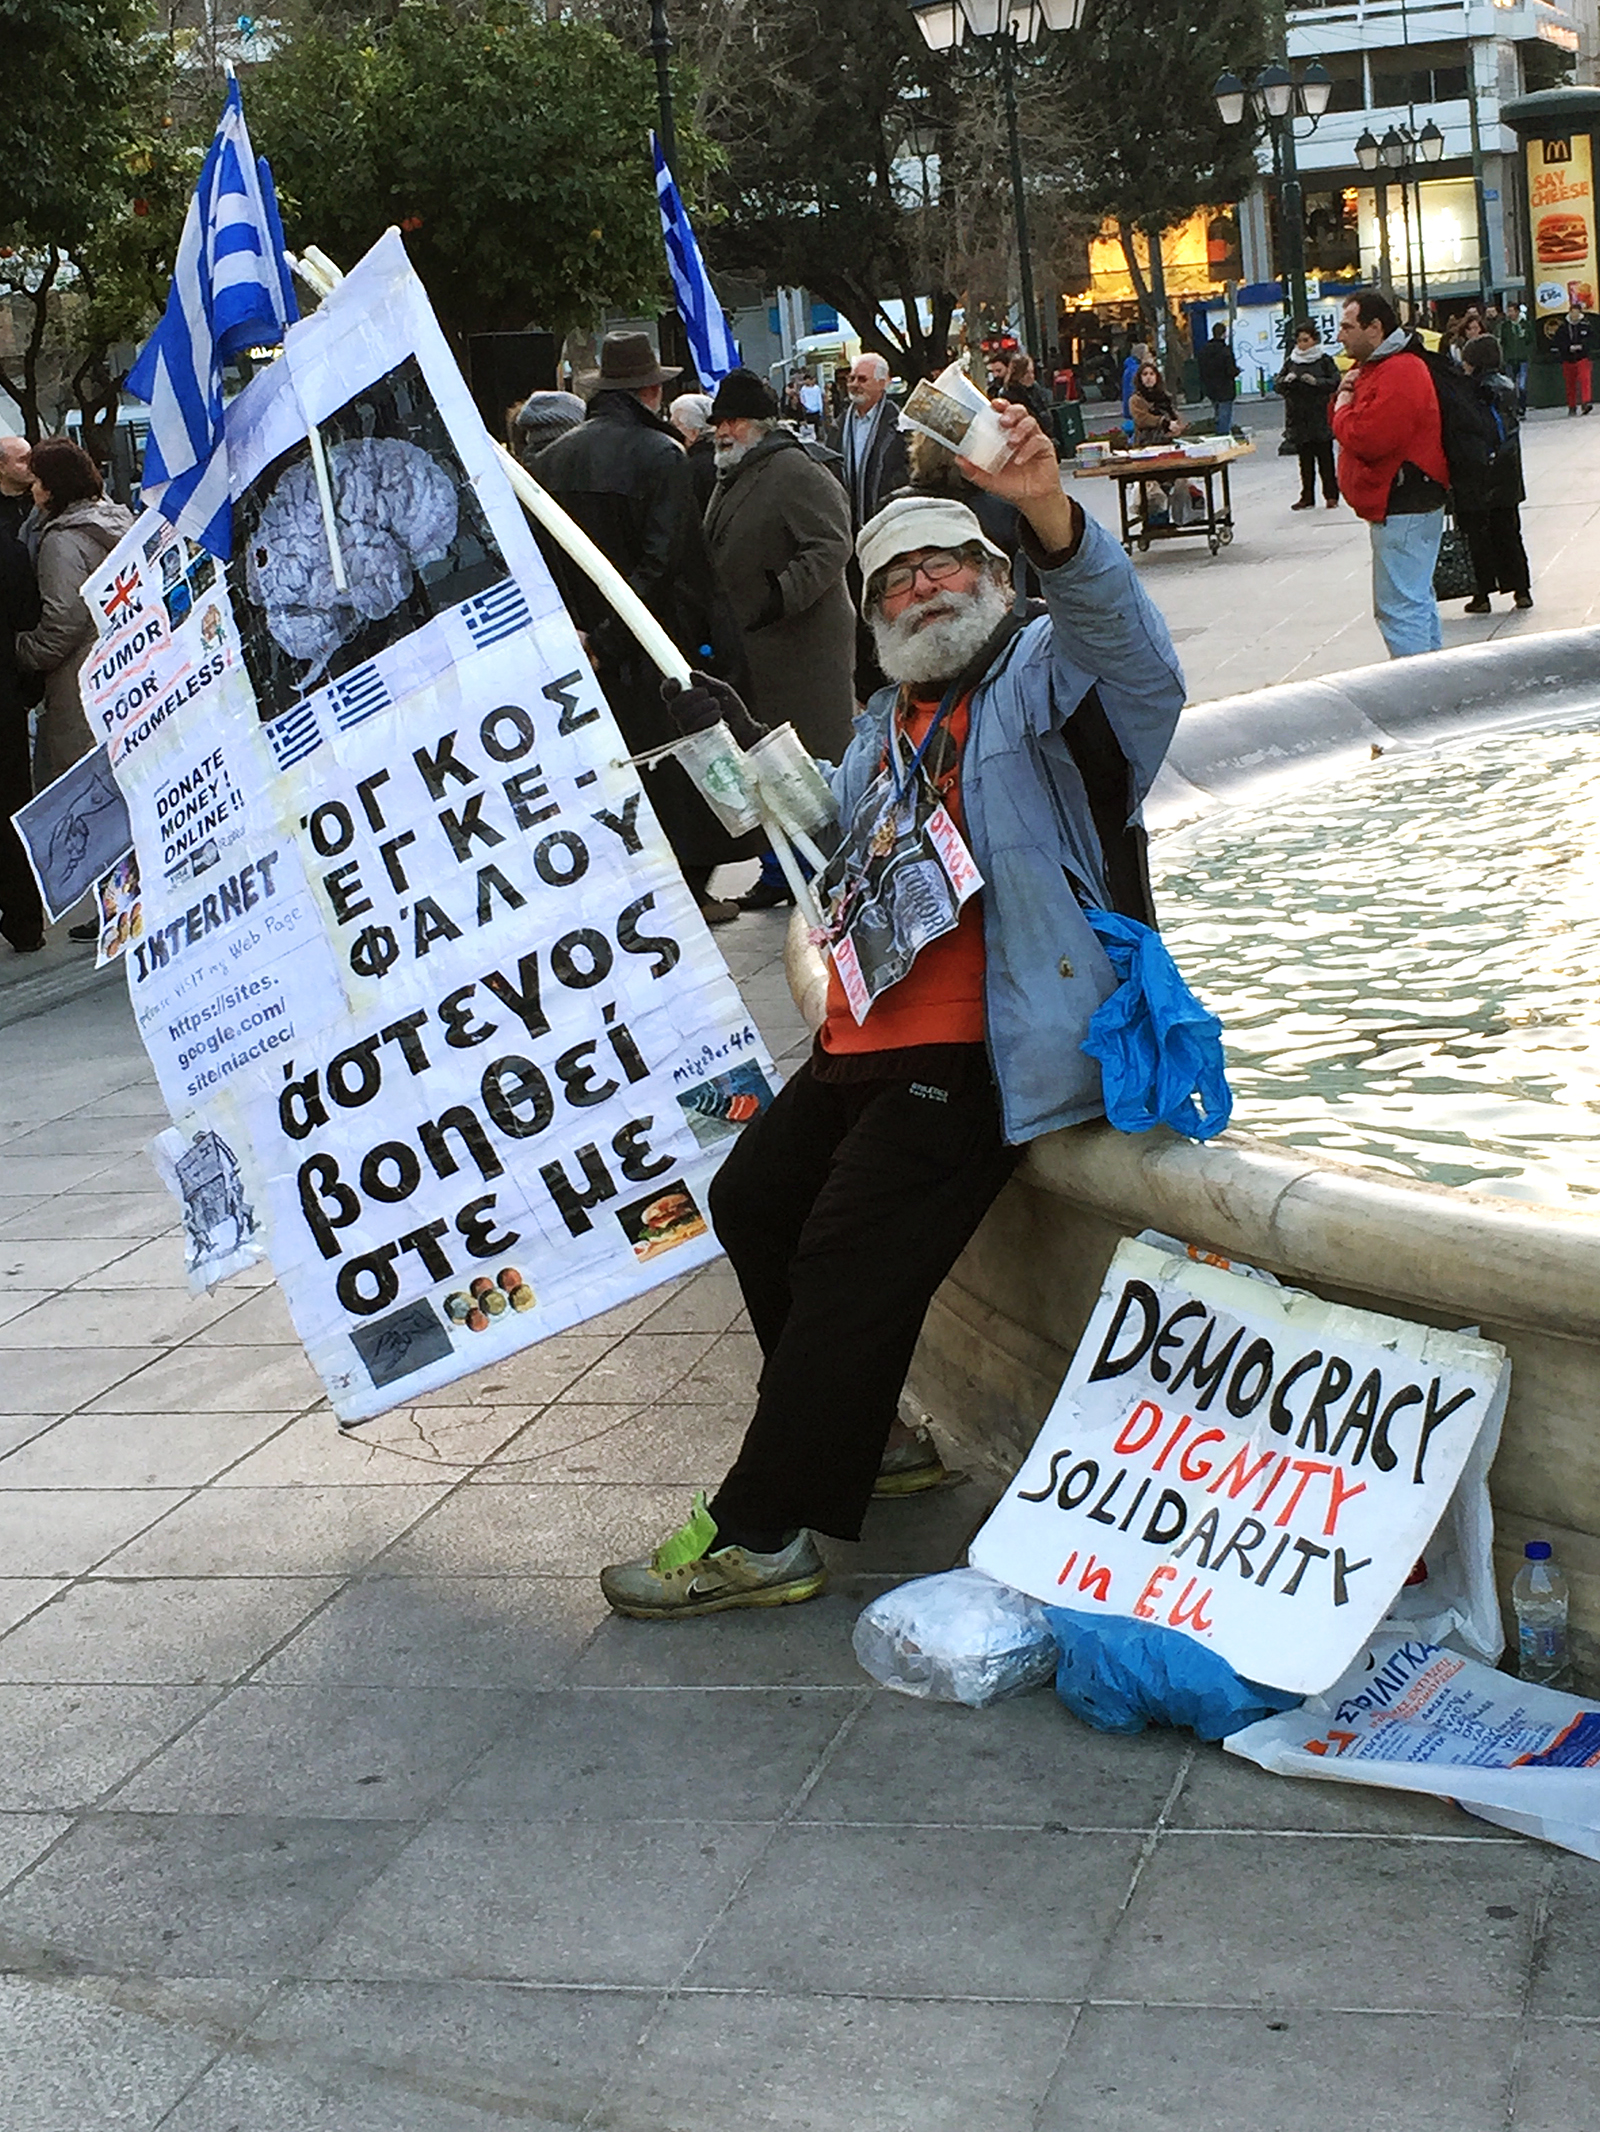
x=428, y=997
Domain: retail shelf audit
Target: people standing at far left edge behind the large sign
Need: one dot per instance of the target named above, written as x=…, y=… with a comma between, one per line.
x=57, y=528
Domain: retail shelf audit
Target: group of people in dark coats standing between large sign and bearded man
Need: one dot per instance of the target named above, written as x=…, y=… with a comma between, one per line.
x=735, y=519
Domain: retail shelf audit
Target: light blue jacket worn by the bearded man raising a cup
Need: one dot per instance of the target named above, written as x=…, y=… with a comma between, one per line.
x=1029, y=824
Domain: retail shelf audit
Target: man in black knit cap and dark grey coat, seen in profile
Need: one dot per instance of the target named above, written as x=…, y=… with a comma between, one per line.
x=780, y=540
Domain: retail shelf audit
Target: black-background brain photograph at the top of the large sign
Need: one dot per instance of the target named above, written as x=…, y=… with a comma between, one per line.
x=413, y=534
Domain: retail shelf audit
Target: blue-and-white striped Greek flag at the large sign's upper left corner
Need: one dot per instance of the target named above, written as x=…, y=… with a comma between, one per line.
x=229, y=291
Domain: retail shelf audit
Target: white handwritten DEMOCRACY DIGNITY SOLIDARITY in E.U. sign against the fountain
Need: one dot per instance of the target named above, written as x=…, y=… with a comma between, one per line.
x=1245, y=1464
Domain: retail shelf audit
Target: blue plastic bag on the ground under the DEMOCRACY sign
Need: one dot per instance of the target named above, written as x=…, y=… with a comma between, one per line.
x=1125, y=1675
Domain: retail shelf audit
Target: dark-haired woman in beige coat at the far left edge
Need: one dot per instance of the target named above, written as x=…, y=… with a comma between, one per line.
x=80, y=528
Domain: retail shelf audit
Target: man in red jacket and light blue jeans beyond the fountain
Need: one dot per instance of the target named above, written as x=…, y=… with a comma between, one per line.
x=1392, y=470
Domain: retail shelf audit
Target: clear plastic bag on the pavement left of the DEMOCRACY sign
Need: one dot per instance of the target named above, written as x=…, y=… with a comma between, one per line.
x=957, y=1638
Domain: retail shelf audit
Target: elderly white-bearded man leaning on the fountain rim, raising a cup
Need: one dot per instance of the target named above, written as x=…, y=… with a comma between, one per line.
x=848, y=1201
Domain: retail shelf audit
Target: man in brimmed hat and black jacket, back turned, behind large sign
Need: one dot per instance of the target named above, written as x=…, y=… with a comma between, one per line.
x=624, y=477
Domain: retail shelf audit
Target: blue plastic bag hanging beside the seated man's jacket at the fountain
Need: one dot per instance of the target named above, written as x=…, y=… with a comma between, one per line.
x=1159, y=1050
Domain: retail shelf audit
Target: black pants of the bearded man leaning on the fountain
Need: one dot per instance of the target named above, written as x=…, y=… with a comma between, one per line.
x=844, y=1208
